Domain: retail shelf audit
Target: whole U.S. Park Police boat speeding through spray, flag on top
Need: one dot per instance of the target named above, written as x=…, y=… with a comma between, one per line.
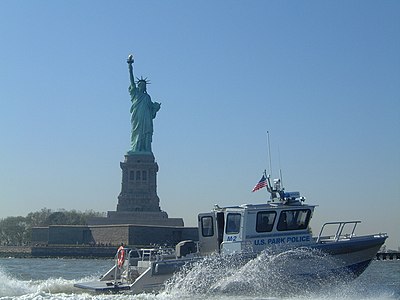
x=281, y=224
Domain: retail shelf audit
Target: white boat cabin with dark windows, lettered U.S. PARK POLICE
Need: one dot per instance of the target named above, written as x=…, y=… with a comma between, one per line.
x=256, y=227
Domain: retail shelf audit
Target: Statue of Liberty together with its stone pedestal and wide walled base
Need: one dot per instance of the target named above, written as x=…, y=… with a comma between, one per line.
x=138, y=219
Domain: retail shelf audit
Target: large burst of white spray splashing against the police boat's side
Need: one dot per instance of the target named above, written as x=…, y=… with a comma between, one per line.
x=297, y=272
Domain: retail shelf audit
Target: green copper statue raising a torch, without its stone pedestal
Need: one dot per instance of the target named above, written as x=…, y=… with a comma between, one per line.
x=143, y=111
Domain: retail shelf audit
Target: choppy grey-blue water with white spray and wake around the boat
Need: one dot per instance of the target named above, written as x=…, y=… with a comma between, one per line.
x=213, y=278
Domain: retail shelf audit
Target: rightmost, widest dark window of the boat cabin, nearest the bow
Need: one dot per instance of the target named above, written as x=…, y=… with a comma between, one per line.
x=294, y=219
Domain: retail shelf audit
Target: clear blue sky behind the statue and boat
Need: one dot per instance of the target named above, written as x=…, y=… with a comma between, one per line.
x=322, y=76
